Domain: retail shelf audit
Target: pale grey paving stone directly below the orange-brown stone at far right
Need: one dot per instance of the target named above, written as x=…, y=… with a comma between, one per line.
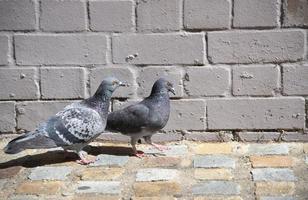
x=273, y=174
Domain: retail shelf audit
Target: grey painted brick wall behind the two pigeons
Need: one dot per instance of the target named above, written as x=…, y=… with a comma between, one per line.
x=238, y=66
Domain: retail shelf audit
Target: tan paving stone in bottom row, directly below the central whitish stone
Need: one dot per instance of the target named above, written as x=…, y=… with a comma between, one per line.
x=150, y=189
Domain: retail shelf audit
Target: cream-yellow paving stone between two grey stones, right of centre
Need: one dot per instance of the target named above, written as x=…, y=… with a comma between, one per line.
x=213, y=174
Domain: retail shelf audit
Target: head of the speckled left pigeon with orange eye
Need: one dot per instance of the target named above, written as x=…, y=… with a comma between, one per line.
x=108, y=86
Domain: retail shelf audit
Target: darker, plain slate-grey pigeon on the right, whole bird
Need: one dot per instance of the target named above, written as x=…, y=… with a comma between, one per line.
x=145, y=118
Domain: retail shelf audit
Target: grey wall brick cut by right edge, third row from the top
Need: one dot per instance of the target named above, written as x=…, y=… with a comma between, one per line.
x=295, y=79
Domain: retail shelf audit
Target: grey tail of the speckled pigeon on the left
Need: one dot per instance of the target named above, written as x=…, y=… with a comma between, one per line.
x=30, y=140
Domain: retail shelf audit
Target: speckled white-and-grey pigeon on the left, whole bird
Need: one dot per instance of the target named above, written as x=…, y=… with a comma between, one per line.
x=72, y=128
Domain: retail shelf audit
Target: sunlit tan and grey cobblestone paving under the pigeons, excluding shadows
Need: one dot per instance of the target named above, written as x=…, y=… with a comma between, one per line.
x=188, y=170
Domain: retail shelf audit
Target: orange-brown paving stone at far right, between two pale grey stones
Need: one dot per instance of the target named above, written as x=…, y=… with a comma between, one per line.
x=271, y=161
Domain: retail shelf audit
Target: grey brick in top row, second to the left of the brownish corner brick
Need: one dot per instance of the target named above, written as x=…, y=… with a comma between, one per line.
x=210, y=14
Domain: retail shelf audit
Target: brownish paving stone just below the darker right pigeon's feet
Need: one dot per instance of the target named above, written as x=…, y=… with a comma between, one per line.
x=161, y=162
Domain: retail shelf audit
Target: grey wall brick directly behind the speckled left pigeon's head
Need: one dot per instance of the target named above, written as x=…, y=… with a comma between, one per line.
x=124, y=74
